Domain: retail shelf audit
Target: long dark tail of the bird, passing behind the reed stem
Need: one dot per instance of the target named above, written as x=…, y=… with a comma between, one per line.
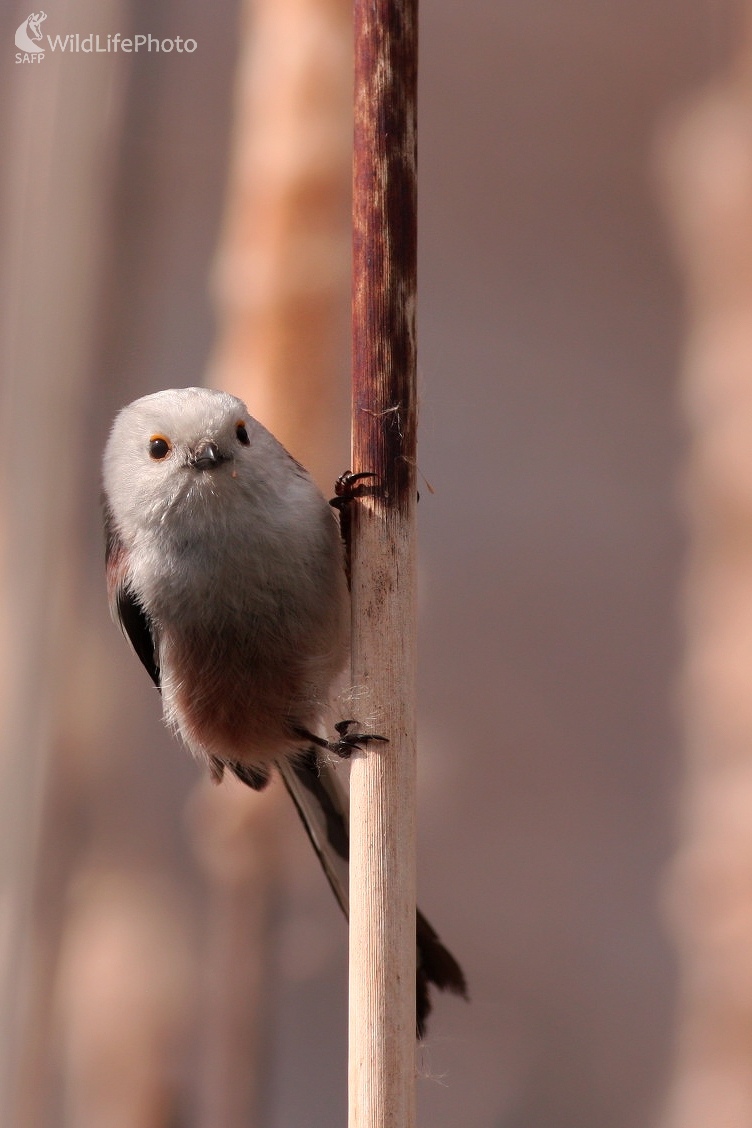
x=323, y=807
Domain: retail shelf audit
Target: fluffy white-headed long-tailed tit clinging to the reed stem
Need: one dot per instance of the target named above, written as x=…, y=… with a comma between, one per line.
x=226, y=572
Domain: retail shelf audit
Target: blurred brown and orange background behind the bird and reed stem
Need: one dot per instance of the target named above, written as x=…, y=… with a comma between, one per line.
x=170, y=954
